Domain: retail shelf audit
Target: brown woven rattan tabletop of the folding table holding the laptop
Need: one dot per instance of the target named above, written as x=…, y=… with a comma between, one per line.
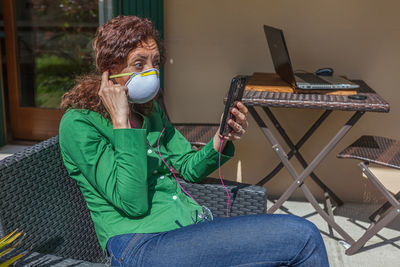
x=373, y=102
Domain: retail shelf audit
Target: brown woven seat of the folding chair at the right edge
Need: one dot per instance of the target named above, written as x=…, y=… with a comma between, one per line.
x=375, y=149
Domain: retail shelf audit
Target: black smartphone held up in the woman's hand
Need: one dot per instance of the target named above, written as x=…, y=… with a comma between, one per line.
x=235, y=93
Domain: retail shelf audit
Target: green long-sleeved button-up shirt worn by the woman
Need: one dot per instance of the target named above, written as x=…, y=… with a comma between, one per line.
x=127, y=187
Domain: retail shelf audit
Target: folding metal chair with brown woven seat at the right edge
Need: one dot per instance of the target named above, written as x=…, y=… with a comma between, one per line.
x=382, y=151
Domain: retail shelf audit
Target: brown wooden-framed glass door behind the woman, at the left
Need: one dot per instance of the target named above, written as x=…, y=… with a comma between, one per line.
x=48, y=44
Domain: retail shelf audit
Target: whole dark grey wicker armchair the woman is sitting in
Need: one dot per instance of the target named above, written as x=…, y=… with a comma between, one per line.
x=37, y=196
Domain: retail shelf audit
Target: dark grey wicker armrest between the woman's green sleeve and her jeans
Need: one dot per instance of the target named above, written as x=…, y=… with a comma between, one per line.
x=245, y=199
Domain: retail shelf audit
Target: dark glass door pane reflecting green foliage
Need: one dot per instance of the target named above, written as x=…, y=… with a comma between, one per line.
x=54, y=45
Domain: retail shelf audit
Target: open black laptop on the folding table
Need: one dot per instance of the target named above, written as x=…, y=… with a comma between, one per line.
x=283, y=67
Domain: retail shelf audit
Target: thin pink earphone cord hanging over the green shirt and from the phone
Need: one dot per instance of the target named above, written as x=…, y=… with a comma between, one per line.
x=173, y=173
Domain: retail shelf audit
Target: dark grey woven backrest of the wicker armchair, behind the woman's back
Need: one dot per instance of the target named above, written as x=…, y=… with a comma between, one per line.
x=38, y=196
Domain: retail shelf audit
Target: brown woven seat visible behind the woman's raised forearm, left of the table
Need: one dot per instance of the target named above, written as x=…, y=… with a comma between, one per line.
x=197, y=134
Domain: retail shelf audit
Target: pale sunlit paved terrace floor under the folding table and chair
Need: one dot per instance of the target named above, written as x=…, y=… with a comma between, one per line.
x=381, y=250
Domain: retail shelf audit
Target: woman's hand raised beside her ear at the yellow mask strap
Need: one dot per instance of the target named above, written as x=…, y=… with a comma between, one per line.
x=115, y=100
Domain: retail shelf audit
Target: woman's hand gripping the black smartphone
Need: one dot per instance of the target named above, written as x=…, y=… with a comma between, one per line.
x=239, y=125
